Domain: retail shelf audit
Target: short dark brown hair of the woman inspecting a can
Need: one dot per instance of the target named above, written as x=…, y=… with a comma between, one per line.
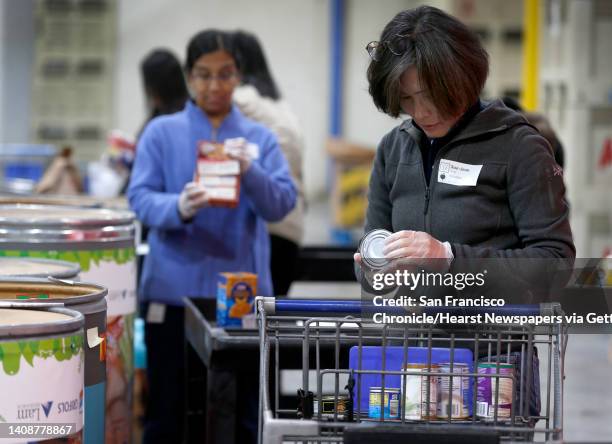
x=448, y=57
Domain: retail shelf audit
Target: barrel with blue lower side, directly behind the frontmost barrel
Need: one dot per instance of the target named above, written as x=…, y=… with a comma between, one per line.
x=87, y=299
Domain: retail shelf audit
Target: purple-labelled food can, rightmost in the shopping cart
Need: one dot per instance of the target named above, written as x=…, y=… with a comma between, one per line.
x=487, y=386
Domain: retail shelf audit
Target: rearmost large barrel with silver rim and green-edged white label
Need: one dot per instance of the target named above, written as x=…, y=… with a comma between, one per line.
x=102, y=242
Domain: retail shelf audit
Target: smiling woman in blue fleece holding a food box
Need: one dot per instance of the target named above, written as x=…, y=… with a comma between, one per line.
x=190, y=241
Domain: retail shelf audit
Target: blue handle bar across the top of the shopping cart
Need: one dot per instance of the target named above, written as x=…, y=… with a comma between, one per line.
x=274, y=306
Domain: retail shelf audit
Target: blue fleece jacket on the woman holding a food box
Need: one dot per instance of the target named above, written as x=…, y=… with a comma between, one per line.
x=186, y=258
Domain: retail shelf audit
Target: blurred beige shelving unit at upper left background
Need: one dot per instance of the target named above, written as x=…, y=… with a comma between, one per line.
x=72, y=82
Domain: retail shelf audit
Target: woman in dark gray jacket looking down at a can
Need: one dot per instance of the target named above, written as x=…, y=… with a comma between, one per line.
x=462, y=182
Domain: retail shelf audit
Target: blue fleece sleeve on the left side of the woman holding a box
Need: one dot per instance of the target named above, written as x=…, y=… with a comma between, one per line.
x=147, y=190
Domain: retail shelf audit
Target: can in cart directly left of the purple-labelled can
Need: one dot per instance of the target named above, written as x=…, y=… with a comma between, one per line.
x=459, y=397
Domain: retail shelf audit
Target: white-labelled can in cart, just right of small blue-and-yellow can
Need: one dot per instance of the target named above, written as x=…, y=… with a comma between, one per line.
x=415, y=394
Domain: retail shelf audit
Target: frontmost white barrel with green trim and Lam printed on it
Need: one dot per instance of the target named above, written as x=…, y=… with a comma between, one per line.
x=41, y=375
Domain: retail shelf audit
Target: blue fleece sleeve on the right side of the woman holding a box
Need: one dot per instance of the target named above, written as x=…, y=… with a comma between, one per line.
x=268, y=183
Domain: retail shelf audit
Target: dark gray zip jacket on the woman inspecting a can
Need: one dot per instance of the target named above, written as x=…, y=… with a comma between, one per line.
x=517, y=209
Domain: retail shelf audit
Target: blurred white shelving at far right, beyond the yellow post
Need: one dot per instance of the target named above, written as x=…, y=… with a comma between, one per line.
x=576, y=95
